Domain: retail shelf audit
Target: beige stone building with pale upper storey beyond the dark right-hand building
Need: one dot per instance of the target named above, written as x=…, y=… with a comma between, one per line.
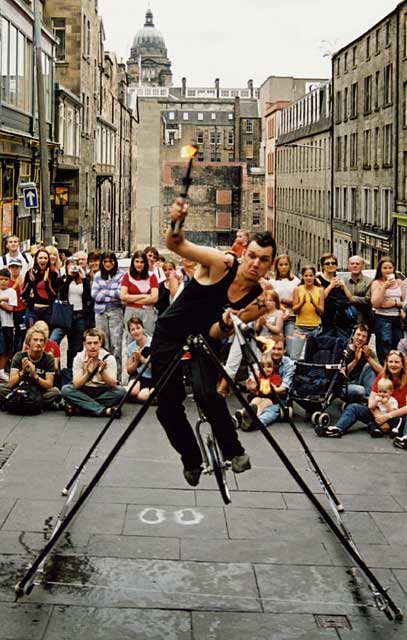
x=303, y=177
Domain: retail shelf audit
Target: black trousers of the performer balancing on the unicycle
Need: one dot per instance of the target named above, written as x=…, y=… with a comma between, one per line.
x=171, y=411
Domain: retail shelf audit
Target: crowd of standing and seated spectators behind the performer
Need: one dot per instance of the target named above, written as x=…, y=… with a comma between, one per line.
x=113, y=312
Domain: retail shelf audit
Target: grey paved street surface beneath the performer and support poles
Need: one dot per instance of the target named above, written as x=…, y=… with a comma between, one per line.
x=149, y=558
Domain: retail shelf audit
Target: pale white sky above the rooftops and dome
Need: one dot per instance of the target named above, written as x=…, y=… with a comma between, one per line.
x=237, y=40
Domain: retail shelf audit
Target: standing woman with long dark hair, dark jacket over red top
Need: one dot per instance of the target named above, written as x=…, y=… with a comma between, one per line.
x=40, y=289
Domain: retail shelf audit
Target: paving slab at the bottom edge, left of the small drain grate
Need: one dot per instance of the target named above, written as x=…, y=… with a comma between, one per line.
x=260, y=626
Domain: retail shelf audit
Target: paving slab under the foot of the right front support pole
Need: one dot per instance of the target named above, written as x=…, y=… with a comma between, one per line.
x=321, y=590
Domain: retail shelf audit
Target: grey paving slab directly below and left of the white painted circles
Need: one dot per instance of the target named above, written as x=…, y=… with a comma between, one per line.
x=133, y=547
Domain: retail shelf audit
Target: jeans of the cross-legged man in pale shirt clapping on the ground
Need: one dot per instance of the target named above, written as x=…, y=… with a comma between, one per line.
x=93, y=400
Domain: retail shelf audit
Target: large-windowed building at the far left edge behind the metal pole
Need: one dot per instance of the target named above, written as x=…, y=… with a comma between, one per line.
x=19, y=143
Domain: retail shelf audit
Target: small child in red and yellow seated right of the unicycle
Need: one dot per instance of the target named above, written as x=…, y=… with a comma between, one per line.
x=259, y=394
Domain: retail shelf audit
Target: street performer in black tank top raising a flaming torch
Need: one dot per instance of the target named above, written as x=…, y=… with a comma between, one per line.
x=220, y=284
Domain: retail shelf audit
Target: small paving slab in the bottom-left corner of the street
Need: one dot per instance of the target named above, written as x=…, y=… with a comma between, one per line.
x=23, y=621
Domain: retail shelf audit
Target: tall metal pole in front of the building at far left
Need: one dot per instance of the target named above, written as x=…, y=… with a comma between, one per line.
x=42, y=129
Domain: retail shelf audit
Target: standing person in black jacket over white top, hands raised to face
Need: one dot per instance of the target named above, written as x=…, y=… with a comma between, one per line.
x=75, y=289
